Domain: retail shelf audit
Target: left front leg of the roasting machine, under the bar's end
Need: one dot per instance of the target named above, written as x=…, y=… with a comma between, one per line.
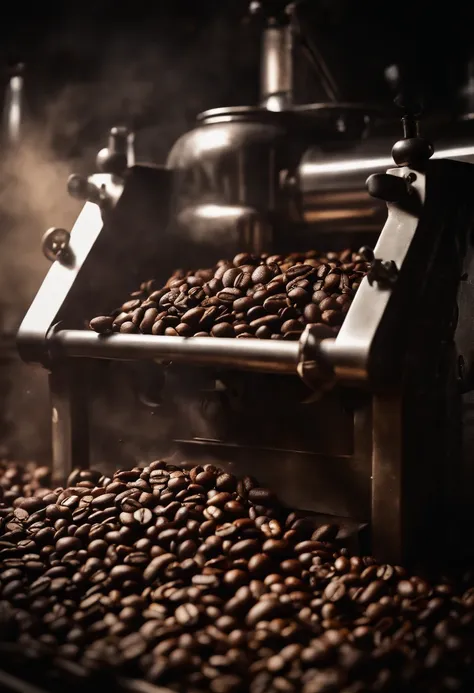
x=70, y=425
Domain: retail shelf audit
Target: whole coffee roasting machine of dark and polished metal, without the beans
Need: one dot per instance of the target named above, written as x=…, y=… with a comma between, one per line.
x=365, y=426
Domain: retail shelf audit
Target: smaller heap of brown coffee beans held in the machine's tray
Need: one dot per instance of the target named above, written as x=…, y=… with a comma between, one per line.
x=266, y=296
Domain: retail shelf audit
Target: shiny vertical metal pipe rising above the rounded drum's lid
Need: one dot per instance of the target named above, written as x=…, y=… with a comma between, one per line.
x=277, y=67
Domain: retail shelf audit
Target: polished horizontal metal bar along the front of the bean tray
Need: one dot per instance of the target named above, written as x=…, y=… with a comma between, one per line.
x=243, y=354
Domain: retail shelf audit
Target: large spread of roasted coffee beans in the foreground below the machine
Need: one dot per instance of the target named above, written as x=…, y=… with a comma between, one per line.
x=197, y=580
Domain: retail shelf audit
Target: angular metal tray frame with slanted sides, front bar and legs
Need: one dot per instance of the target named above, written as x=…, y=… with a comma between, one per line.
x=377, y=349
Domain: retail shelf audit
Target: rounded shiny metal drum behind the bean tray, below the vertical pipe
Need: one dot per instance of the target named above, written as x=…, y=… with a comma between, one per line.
x=243, y=163
